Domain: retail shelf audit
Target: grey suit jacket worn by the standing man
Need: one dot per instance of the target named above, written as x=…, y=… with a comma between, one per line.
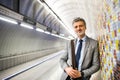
x=90, y=62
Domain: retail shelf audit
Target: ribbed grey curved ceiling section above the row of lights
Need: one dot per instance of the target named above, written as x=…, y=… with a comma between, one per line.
x=38, y=12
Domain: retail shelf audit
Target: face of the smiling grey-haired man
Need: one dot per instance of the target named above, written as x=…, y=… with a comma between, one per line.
x=79, y=28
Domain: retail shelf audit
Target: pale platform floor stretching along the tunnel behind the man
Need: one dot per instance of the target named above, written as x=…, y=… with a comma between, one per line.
x=46, y=70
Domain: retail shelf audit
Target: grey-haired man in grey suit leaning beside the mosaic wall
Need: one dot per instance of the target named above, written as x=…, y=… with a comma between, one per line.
x=88, y=62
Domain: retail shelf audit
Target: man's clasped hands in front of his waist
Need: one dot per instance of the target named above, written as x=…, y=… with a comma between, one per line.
x=72, y=72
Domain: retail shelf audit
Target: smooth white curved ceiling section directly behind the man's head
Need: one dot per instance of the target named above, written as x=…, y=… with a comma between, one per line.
x=67, y=10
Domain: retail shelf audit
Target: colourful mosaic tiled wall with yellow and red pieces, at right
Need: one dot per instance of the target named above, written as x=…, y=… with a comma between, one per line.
x=109, y=39
